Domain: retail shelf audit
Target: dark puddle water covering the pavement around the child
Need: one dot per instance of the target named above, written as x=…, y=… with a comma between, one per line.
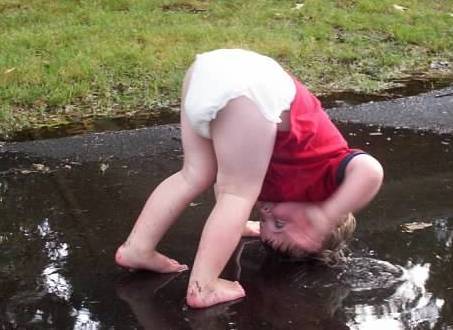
x=60, y=227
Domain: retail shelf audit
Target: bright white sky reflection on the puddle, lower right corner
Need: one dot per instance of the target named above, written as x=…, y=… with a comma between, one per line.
x=412, y=305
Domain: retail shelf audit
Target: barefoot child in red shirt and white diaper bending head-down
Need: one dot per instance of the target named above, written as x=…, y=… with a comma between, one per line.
x=256, y=132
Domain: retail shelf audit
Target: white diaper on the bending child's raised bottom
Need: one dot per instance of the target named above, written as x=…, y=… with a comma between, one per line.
x=224, y=74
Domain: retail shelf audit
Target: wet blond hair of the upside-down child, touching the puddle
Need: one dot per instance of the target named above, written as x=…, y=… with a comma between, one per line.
x=333, y=252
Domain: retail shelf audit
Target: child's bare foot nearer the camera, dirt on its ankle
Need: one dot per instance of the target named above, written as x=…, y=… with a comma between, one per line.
x=221, y=291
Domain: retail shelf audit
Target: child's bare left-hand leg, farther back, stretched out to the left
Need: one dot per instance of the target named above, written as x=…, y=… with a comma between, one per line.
x=167, y=201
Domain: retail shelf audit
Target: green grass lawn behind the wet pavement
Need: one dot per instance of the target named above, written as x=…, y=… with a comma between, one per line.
x=63, y=60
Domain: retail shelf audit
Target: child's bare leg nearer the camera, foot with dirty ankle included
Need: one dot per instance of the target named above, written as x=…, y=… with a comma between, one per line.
x=243, y=142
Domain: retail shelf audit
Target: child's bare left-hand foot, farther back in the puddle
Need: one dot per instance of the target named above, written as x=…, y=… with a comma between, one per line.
x=128, y=257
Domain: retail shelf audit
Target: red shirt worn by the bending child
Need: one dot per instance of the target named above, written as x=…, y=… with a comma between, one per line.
x=305, y=159
